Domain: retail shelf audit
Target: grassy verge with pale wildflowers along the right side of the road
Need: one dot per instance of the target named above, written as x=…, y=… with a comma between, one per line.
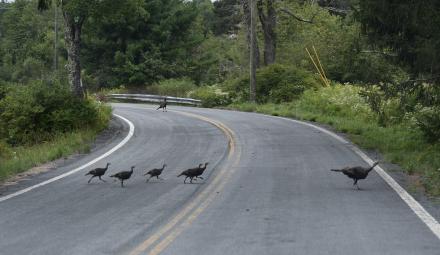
x=342, y=108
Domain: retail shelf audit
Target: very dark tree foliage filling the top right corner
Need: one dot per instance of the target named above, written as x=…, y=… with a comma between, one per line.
x=409, y=28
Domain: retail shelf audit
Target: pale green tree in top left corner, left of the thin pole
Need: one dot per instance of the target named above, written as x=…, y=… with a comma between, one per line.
x=26, y=39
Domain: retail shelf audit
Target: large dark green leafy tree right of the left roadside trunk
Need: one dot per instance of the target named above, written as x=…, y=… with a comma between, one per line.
x=141, y=48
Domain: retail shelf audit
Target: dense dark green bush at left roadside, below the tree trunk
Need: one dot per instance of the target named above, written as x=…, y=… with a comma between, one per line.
x=34, y=113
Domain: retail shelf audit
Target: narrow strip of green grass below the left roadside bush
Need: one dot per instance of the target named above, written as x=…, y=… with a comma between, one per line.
x=14, y=160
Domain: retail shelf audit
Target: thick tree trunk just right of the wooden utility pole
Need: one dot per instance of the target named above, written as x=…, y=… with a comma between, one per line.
x=268, y=22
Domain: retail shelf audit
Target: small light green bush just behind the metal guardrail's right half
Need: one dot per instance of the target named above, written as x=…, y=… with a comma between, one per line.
x=172, y=87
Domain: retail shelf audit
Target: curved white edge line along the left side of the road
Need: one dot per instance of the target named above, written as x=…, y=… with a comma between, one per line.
x=118, y=146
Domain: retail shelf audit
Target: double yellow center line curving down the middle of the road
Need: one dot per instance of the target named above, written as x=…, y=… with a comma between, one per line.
x=157, y=242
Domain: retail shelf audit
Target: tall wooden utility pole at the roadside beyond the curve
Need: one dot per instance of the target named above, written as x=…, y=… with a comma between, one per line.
x=253, y=62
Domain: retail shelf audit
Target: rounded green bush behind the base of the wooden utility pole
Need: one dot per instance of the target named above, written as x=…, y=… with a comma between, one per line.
x=275, y=83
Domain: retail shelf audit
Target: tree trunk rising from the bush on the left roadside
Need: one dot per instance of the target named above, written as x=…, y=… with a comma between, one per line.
x=72, y=37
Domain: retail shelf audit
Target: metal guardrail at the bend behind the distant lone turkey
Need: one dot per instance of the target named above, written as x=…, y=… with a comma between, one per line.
x=156, y=98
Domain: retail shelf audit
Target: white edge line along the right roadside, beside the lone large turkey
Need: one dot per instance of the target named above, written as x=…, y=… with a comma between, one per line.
x=415, y=206
